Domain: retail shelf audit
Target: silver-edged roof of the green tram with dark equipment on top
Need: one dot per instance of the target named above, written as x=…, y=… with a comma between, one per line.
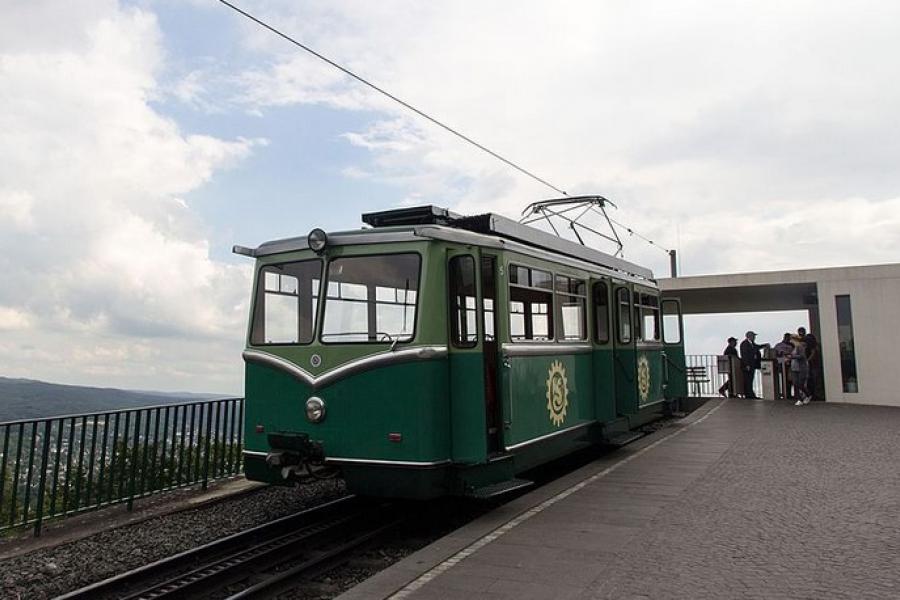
x=434, y=222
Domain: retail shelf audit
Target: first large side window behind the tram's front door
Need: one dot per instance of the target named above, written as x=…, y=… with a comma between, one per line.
x=530, y=304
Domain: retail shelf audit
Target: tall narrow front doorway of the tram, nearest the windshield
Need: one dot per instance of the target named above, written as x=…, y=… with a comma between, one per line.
x=474, y=407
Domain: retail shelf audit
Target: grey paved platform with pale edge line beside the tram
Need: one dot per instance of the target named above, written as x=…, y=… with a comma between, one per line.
x=743, y=499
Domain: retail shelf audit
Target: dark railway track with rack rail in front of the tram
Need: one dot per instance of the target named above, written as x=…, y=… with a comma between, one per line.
x=257, y=563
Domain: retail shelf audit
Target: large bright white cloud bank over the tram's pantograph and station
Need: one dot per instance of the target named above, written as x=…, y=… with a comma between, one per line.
x=716, y=124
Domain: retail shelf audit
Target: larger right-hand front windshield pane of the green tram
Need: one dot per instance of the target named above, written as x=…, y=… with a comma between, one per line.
x=371, y=299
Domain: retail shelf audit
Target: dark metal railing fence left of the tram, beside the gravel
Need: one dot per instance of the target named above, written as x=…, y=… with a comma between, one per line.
x=61, y=466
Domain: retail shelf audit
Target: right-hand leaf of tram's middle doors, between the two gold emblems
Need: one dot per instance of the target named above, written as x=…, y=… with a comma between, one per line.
x=624, y=351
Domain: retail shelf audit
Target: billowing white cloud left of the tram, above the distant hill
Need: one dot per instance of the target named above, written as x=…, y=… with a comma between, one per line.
x=107, y=273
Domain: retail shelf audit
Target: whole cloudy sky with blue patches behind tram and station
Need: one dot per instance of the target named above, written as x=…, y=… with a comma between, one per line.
x=140, y=140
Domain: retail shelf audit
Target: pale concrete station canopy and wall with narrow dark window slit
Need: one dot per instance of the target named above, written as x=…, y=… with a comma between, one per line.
x=872, y=294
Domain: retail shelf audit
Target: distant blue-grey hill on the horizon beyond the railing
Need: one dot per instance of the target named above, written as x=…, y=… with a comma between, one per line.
x=29, y=399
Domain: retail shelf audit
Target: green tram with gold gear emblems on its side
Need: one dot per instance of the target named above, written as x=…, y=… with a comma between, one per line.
x=434, y=354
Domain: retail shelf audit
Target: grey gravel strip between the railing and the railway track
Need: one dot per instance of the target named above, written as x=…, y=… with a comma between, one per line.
x=53, y=571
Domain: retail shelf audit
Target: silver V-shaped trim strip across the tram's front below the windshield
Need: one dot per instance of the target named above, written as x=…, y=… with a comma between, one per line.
x=356, y=366
